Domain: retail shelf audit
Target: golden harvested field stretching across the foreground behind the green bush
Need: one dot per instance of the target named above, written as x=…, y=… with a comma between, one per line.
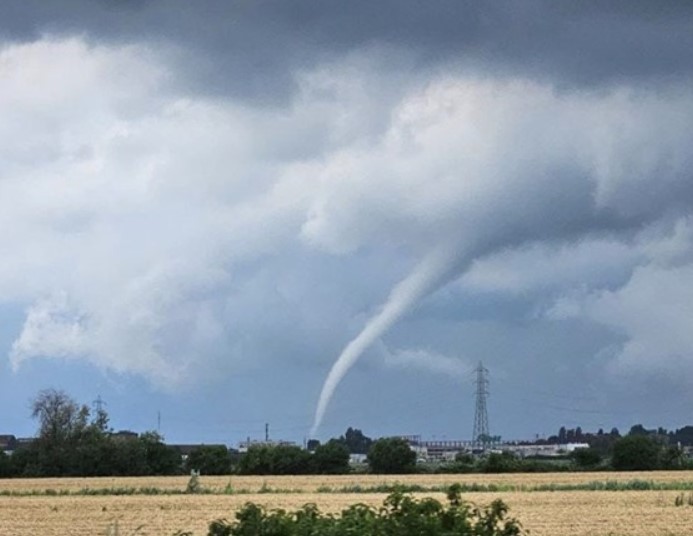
x=574, y=513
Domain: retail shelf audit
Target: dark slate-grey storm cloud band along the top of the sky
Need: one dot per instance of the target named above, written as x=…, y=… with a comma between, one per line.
x=249, y=48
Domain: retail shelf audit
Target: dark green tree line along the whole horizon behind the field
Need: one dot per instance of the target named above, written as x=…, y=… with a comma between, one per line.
x=74, y=441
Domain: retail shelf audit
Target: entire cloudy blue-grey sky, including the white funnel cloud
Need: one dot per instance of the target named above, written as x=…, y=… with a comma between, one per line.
x=205, y=206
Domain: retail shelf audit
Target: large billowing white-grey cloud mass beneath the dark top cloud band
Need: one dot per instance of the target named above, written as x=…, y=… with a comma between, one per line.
x=143, y=205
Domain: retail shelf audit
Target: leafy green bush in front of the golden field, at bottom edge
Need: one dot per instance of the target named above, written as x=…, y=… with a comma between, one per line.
x=400, y=515
